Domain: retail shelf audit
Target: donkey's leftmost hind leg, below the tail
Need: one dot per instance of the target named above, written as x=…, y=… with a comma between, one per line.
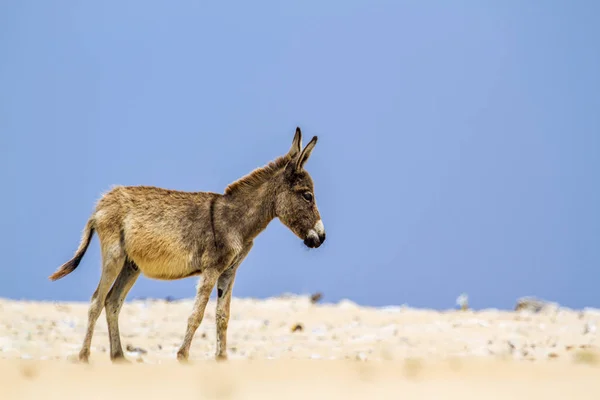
x=113, y=259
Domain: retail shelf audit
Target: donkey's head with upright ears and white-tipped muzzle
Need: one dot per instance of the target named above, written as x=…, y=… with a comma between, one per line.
x=295, y=204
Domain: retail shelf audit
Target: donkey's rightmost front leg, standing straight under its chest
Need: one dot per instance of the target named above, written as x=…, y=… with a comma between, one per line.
x=224, y=290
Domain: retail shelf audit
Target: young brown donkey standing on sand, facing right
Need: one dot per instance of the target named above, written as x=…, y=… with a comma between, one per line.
x=168, y=234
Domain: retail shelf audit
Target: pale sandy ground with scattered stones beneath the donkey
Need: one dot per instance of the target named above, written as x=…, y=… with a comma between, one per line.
x=335, y=351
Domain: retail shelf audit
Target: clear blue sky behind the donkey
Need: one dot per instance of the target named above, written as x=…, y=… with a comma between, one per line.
x=458, y=141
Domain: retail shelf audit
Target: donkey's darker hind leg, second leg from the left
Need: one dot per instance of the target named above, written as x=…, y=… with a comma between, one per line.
x=114, y=301
